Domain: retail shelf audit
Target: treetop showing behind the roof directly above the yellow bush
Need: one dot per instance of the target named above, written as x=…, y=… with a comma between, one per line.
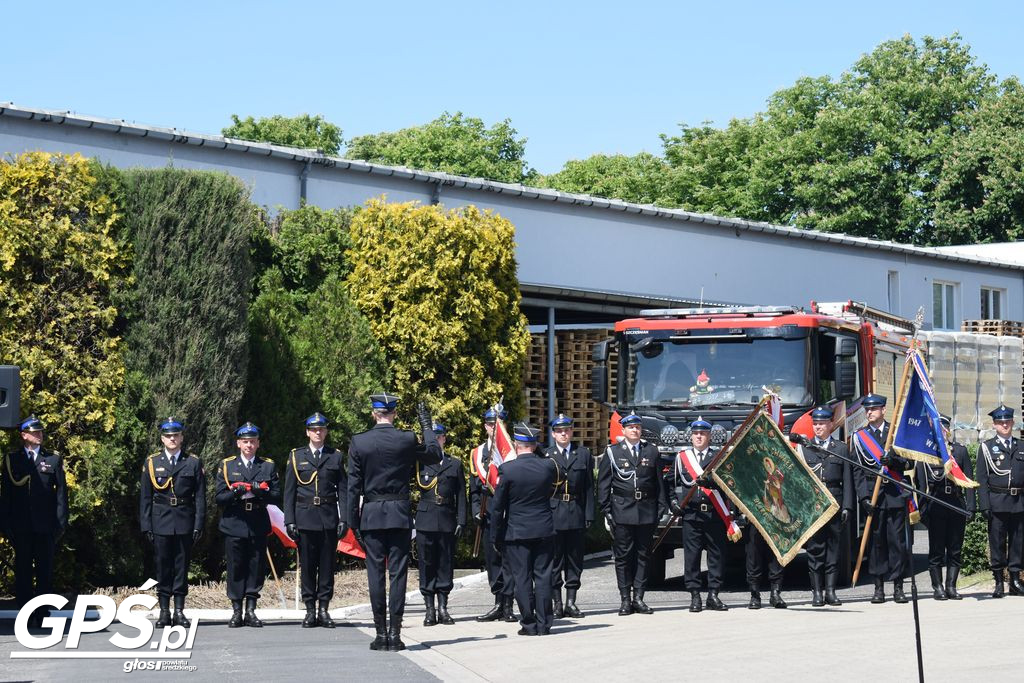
x=453, y=144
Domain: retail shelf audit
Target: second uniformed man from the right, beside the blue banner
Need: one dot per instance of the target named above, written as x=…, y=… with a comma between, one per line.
x=946, y=528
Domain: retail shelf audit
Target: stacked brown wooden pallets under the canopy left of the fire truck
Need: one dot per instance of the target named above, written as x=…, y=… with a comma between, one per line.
x=573, y=369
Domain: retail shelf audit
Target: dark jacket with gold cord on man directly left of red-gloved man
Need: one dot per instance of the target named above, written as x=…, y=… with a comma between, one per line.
x=174, y=499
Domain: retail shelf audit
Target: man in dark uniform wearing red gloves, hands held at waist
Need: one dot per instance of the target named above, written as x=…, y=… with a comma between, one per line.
x=246, y=485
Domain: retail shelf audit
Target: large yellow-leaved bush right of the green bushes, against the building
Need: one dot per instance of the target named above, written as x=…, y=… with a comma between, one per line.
x=440, y=290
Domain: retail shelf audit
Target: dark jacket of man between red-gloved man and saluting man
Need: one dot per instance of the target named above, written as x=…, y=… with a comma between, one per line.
x=316, y=491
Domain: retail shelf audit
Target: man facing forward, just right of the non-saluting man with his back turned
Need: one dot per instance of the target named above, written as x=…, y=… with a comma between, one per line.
x=573, y=504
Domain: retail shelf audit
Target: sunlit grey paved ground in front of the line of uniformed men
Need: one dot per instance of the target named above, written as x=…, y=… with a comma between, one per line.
x=838, y=643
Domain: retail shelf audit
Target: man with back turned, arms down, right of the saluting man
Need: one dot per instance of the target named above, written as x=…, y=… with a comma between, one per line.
x=525, y=528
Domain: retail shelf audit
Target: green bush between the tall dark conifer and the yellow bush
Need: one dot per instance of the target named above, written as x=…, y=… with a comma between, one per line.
x=308, y=339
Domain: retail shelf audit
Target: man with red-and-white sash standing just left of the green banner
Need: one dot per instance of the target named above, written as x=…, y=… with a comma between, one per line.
x=704, y=529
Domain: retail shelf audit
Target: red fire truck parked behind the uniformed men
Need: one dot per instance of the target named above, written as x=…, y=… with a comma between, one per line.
x=673, y=366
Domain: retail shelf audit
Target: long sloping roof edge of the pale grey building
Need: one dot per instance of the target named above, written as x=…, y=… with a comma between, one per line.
x=122, y=127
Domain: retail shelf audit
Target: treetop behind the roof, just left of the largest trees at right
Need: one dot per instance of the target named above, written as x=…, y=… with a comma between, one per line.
x=642, y=179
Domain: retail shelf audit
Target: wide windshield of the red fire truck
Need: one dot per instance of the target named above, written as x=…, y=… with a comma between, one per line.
x=695, y=373
